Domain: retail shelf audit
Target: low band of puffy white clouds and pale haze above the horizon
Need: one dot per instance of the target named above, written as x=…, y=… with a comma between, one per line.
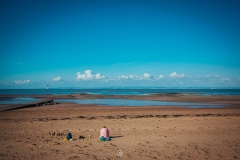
x=89, y=78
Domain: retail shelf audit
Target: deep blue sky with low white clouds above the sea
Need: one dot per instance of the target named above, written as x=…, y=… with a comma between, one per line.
x=87, y=44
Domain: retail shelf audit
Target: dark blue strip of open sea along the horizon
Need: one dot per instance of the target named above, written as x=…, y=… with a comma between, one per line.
x=119, y=91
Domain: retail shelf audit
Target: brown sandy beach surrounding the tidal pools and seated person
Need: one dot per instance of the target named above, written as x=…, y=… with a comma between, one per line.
x=159, y=132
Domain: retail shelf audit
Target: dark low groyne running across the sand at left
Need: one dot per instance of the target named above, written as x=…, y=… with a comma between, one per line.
x=29, y=105
